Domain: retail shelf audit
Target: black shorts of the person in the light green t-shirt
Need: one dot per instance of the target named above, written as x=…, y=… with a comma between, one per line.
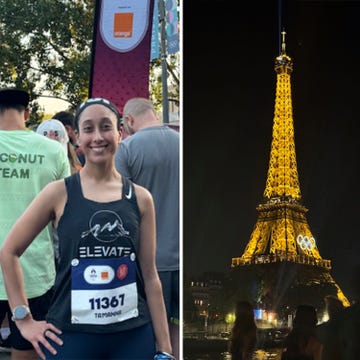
x=39, y=307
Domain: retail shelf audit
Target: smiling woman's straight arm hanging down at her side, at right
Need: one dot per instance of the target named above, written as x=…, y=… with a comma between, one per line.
x=152, y=282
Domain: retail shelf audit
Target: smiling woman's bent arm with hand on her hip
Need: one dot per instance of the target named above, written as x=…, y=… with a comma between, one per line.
x=40, y=212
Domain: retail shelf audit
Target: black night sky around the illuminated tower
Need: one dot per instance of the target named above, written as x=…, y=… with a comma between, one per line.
x=228, y=106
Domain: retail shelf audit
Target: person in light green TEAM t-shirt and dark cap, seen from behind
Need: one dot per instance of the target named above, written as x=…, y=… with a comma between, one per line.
x=28, y=163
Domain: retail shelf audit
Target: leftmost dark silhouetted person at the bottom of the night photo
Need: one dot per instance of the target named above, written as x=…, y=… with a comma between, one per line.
x=243, y=337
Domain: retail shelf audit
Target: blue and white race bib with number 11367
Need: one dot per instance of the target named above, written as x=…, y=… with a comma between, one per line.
x=103, y=291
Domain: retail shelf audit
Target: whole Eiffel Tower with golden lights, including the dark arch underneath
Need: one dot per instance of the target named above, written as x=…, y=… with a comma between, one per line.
x=282, y=257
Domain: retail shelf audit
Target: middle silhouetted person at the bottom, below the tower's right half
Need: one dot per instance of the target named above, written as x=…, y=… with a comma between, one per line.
x=302, y=342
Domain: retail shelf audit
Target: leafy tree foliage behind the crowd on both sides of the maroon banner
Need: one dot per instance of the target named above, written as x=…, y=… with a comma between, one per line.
x=45, y=47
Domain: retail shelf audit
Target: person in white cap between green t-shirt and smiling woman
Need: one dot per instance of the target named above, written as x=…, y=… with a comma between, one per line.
x=54, y=129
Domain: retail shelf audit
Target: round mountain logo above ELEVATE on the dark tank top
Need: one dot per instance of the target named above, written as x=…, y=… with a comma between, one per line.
x=105, y=226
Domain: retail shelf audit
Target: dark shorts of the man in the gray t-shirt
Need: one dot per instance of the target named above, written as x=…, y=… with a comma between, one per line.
x=171, y=290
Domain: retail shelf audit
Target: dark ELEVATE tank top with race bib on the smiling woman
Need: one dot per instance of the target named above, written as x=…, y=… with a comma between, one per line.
x=98, y=286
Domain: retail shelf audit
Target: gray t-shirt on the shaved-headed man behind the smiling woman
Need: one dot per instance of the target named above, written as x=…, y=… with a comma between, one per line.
x=150, y=158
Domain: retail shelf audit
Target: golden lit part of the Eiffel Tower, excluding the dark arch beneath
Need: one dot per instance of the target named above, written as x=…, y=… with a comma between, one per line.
x=281, y=233
